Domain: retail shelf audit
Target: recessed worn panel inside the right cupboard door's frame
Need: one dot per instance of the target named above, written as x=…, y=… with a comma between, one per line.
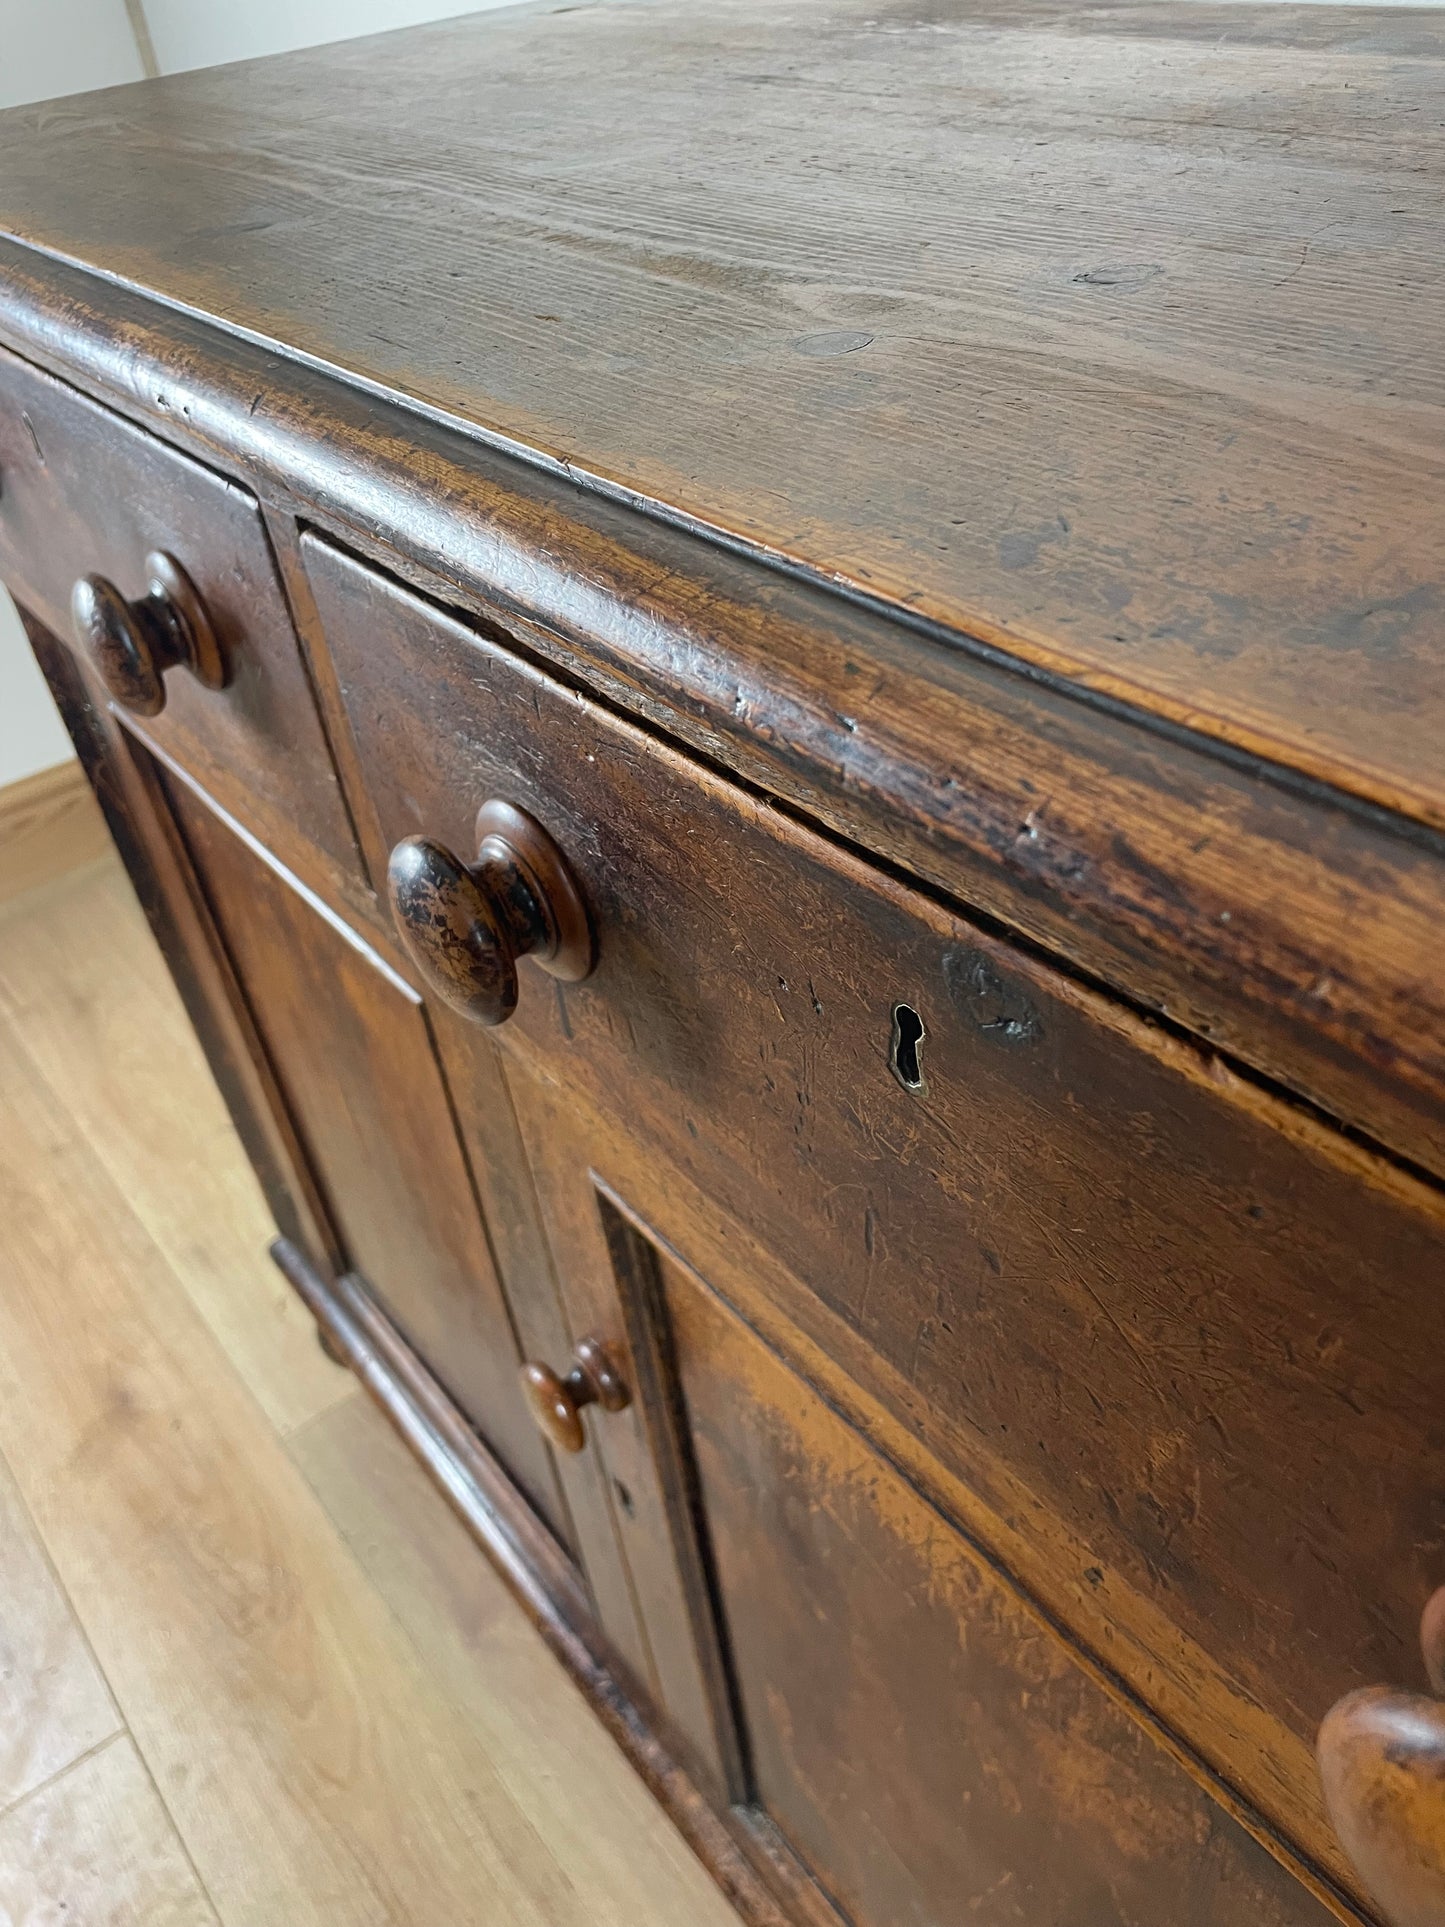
x=926, y=1743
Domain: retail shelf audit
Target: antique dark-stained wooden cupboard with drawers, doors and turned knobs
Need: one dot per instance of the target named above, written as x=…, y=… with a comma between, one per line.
x=777, y=681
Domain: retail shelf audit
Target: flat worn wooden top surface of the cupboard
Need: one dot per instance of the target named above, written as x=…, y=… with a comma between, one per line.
x=1115, y=336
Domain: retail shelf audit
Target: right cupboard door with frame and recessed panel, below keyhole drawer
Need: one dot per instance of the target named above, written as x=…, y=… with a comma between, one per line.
x=897, y=1724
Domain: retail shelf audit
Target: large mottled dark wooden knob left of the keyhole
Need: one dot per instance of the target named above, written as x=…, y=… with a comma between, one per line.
x=467, y=924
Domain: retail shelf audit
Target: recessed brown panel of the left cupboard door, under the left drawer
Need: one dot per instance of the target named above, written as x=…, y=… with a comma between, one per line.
x=354, y=1055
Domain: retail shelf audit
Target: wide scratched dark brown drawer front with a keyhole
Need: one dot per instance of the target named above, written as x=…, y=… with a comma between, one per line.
x=1184, y=1342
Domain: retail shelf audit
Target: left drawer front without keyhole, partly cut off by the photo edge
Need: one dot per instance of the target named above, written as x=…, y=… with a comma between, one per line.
x=84, y=492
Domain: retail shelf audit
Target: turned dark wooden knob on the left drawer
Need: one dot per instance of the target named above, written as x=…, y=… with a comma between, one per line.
x=132, y=645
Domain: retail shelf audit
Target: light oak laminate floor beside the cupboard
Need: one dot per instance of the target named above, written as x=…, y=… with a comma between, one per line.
x=251, y=1670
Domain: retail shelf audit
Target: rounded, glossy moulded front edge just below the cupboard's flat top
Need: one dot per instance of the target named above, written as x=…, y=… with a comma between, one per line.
x=1221, y=903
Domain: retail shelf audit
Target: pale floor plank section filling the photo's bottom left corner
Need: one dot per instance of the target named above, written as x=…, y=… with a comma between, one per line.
x=97, y=1849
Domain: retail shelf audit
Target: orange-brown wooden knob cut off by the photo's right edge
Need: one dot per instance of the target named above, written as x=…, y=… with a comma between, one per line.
x=1382, y=1764
